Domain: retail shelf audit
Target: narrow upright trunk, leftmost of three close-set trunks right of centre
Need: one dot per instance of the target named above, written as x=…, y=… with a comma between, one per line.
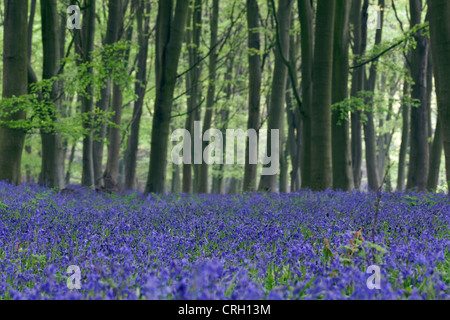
x=307, y=45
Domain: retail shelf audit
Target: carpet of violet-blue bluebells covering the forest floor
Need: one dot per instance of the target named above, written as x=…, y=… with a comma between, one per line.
x=295, y=246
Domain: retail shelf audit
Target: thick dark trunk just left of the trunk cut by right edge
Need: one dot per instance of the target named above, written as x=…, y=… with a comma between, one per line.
x=419, y=156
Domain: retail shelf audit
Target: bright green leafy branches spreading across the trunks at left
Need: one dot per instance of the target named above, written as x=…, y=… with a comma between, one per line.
x=40, y=105
